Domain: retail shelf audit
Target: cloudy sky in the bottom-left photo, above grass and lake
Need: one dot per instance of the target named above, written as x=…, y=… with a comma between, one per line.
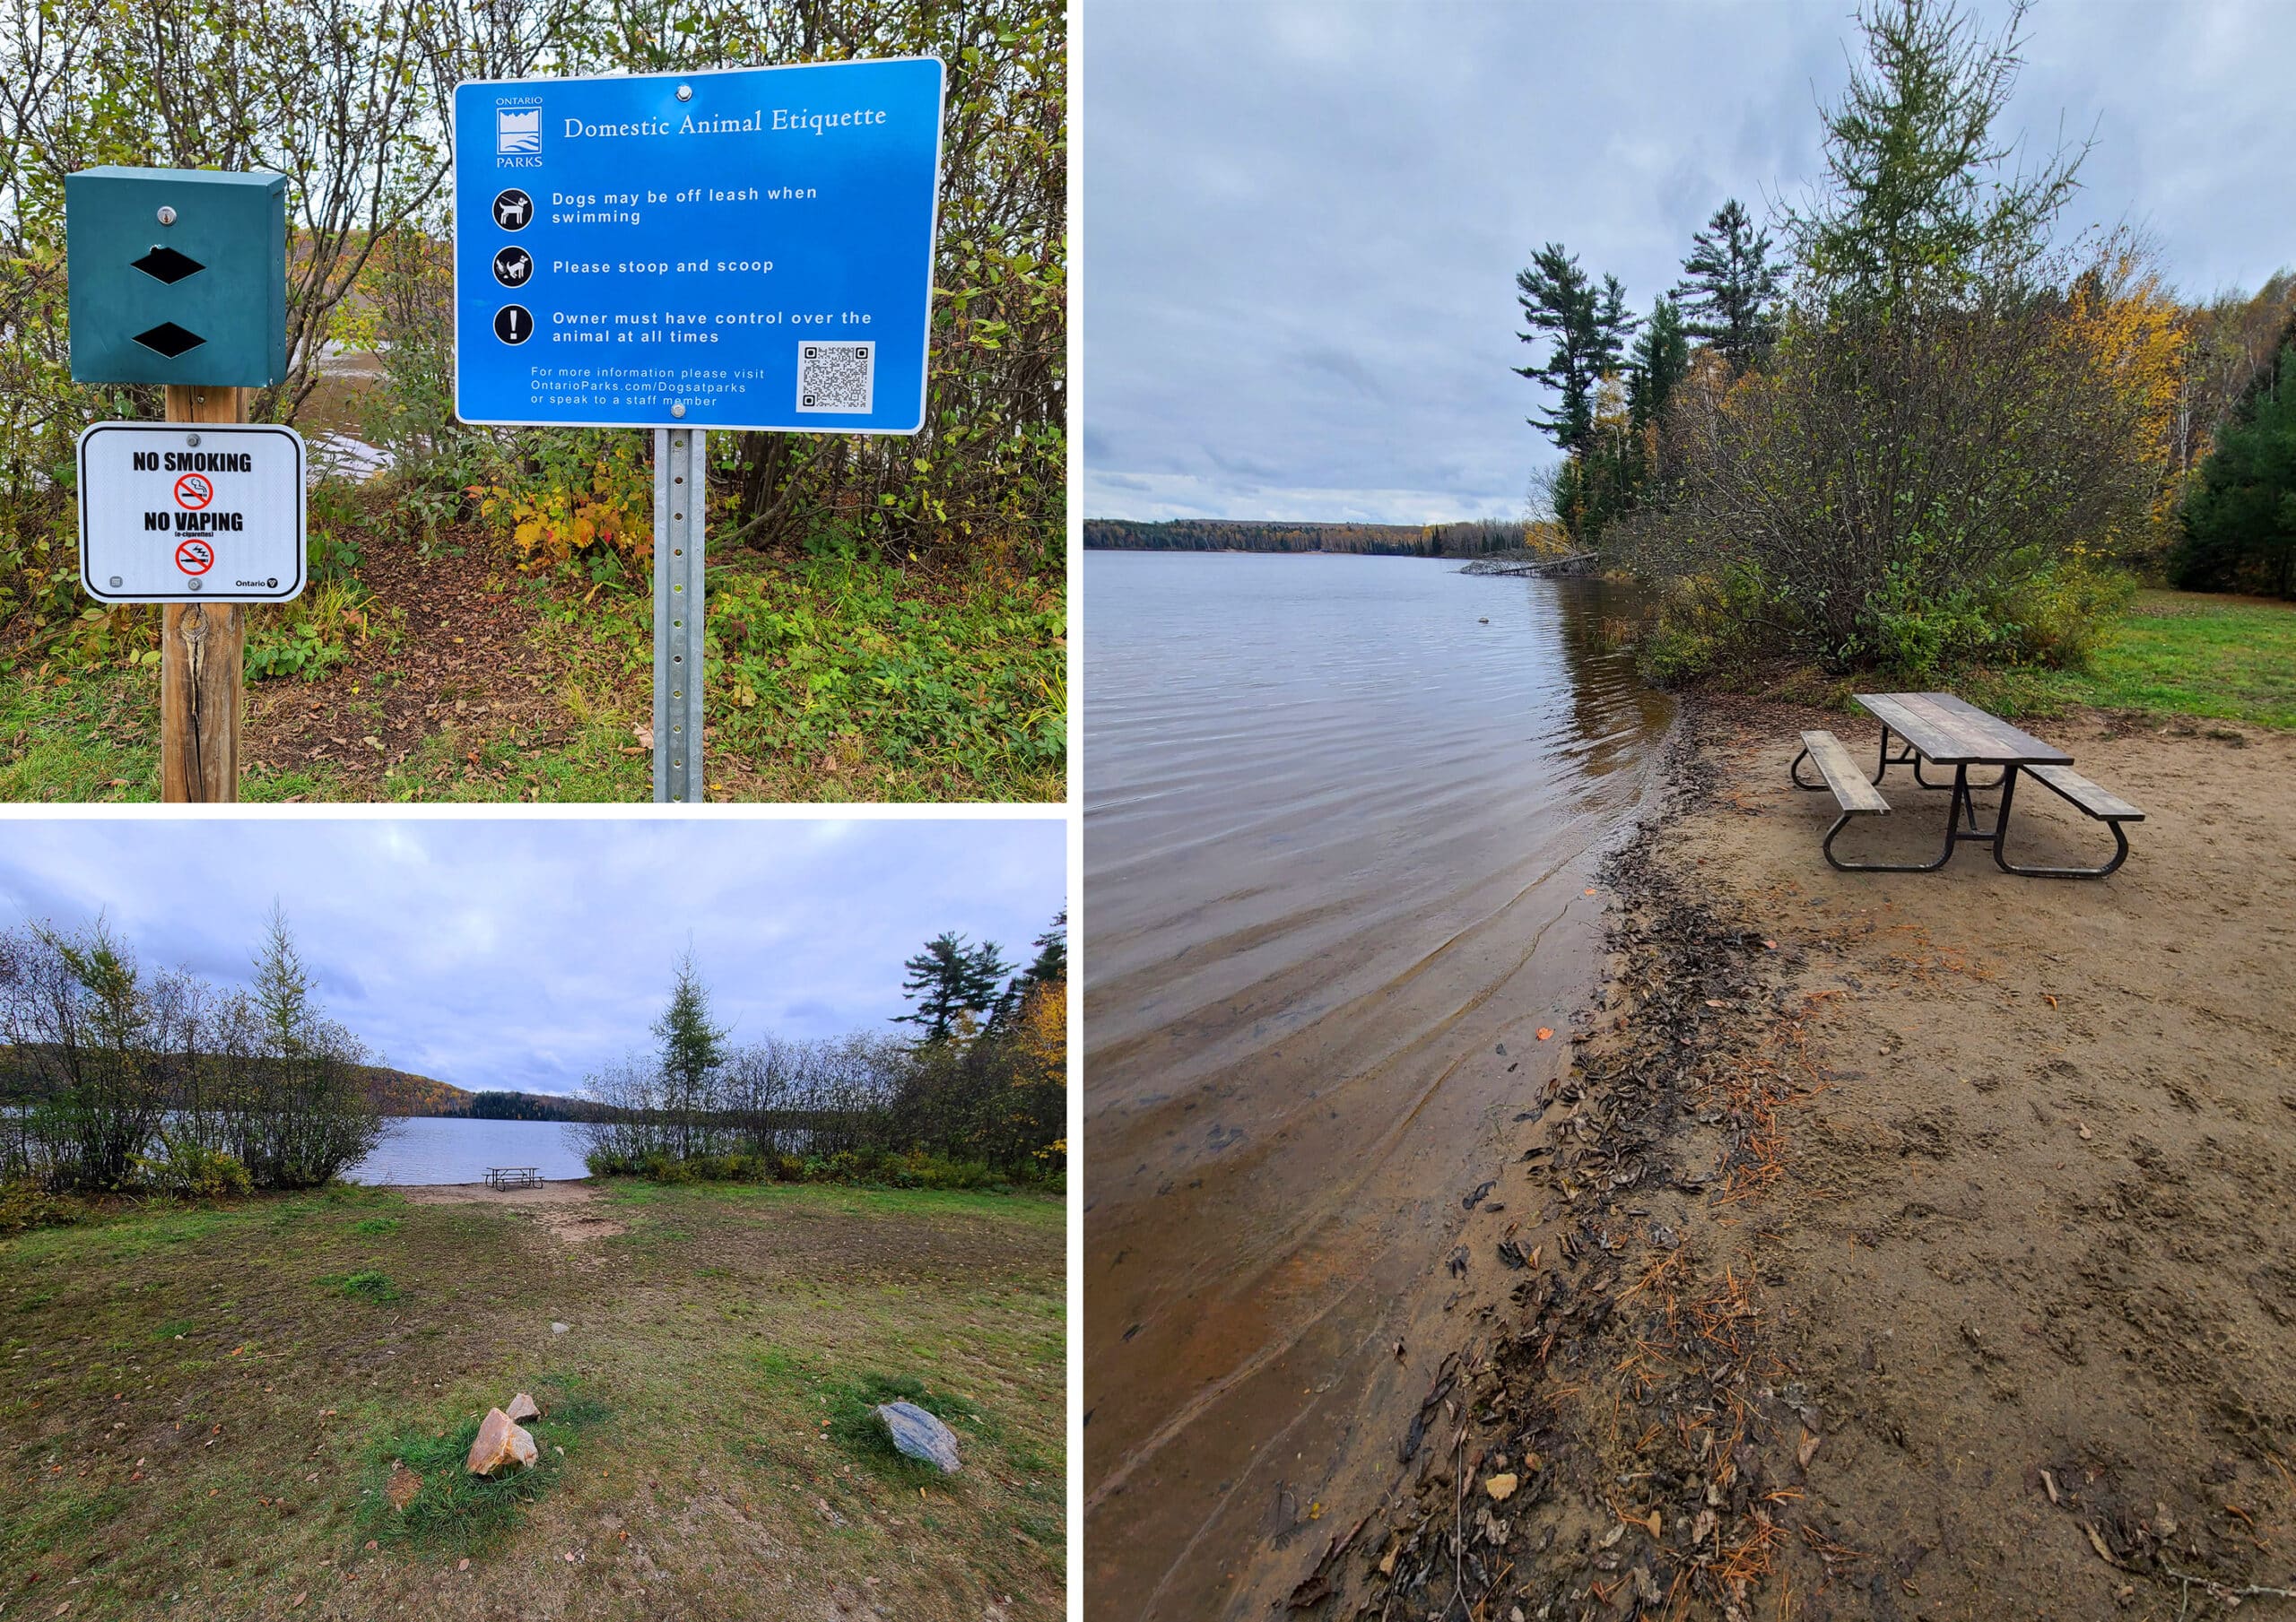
x=529, y=953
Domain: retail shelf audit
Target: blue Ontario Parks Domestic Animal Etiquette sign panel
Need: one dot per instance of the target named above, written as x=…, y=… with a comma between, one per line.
x=747, y=249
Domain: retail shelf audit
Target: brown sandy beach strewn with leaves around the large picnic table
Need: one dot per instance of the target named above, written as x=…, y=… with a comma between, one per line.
x=1902, y=1247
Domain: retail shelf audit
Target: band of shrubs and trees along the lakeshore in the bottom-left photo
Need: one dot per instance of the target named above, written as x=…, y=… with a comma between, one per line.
x=118, y=1079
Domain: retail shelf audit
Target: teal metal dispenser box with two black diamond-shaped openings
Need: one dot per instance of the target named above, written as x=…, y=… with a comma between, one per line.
x=178, y=276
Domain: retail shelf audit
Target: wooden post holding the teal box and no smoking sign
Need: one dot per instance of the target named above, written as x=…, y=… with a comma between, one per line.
x=203, y=657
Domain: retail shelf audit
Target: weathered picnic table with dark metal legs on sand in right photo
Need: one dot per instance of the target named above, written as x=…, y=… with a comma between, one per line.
x=1946, y=731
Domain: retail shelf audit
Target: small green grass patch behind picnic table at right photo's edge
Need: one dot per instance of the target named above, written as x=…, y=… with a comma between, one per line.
x=2180, y=655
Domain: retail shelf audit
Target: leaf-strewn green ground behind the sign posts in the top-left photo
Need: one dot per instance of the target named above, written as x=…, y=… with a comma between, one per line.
x=830, y=680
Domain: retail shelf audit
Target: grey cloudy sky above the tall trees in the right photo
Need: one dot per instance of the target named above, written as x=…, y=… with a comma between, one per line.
x=1303, y=221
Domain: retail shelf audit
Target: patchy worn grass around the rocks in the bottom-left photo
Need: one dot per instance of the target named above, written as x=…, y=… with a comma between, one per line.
x=208, y=1412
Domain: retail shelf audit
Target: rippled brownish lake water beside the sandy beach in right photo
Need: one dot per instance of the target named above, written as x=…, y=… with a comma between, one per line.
x=1340, y=825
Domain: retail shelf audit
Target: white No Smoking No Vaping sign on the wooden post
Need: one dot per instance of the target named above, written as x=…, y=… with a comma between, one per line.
x=192, y=513
